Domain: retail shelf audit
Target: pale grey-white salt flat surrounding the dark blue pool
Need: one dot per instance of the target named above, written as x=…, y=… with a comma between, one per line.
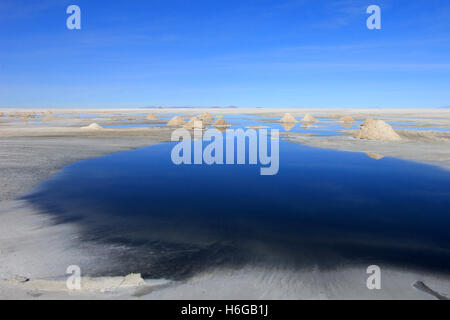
x=32, y=150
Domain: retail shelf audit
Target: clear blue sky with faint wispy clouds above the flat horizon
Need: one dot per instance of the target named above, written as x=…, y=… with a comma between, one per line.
x=259, y=53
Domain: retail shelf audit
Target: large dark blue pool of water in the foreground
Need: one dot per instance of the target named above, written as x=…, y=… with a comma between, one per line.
x=324, y=209
